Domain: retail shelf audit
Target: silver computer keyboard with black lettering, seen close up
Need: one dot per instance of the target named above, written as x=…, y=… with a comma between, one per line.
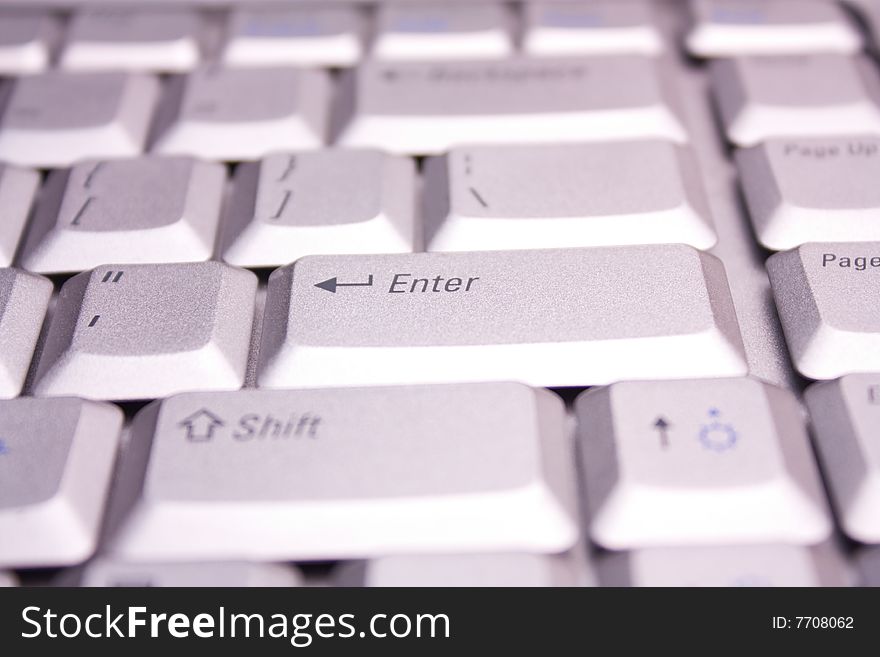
x=579, y=293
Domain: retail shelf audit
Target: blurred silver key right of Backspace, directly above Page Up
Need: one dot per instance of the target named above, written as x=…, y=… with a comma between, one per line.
x=804, y=96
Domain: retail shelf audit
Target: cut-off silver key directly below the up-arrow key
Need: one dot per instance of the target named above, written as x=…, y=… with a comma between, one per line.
x=743, y=565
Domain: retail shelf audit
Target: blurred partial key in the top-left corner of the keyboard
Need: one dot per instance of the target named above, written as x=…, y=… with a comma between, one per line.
x=26, y=40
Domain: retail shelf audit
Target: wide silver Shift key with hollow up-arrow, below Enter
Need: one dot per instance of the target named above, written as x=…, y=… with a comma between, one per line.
x=299, y=475
